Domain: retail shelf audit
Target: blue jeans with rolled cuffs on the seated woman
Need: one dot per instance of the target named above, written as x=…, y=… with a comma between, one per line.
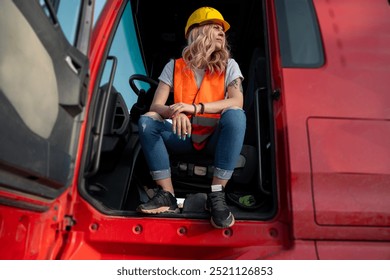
x=158, y=140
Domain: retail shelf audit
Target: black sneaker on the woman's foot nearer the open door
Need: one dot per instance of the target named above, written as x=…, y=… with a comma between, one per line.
x=162, y=202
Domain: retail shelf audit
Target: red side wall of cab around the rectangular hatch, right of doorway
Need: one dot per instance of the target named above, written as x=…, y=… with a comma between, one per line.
x=351, y=85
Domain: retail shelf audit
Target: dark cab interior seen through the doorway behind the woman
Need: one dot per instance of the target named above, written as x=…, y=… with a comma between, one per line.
x=122, y=180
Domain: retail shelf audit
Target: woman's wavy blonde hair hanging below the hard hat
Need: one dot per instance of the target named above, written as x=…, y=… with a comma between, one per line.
x=201, y=51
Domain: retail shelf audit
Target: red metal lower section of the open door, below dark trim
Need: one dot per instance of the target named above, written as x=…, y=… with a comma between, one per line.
x=27, y=234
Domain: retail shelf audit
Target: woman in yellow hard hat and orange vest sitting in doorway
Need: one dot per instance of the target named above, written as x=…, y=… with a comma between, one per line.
x=206, y=115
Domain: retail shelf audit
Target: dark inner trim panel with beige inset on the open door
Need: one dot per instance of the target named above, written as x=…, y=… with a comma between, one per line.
x=42, y=94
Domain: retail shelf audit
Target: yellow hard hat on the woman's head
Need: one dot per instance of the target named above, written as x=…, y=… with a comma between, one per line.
x=205, y=15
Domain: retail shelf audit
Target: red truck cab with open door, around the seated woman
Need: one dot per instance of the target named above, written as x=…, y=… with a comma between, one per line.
x=315, y=161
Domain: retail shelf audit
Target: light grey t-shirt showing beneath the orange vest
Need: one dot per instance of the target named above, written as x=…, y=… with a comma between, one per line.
x=232, y=72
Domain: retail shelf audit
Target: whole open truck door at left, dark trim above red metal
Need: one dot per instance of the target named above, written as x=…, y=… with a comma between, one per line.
x=43, y=89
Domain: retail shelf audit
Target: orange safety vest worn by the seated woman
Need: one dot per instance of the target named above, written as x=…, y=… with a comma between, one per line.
x=186, y=90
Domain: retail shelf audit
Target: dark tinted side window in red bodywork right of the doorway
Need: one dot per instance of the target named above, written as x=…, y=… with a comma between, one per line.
x=299, y=35
